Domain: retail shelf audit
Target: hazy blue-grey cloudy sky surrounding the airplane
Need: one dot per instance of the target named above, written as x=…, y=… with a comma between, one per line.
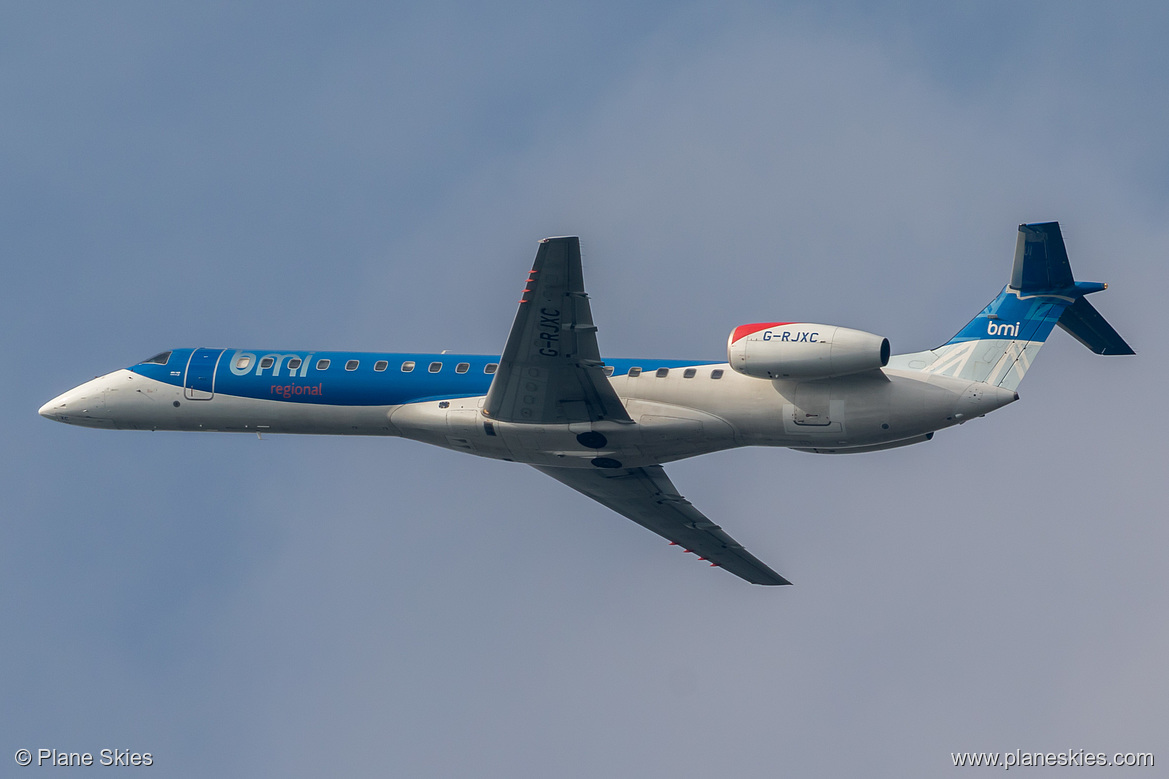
x=377, y=177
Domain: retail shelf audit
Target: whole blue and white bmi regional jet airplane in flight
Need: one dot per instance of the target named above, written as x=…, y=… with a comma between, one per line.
x=606, y=428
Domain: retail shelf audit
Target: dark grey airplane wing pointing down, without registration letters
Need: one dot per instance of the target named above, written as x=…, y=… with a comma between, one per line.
x=648, y=498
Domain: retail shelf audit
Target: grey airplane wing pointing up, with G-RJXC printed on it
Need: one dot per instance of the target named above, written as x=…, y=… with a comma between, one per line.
x=551, y=370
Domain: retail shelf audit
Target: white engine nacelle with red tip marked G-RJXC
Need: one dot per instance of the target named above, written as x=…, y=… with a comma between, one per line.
x=800, y=350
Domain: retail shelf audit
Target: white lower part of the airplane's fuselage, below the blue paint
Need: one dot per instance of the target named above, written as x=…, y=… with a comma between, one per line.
x=674, y=417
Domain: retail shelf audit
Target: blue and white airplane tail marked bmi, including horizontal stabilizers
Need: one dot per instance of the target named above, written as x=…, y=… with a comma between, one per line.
x=999, y=346
